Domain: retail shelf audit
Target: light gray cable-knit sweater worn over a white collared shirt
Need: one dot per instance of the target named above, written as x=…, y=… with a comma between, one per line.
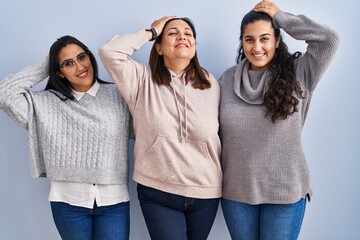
x=77, y=141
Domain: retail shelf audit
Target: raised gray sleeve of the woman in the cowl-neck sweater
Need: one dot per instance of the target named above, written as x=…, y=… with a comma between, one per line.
x=322, y=43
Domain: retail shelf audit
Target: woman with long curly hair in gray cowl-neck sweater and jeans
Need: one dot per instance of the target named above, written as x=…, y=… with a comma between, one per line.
x=264, y=102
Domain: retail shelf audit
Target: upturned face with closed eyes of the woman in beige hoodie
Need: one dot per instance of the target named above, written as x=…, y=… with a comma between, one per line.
x=177, y=42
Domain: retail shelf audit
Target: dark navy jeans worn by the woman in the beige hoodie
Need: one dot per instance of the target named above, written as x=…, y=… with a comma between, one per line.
x=175, y=217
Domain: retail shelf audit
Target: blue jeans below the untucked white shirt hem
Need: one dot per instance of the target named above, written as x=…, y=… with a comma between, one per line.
x=100, y=223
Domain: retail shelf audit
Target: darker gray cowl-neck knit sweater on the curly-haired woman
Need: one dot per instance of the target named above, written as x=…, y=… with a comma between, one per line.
x=264, y=162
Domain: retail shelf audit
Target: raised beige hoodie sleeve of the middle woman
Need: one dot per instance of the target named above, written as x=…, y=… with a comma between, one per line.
x=128, y=74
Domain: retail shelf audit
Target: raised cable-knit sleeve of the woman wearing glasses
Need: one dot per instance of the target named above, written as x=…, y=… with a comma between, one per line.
x=15, y=98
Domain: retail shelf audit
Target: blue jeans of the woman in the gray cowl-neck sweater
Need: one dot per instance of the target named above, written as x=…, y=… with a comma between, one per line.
x=263, y=221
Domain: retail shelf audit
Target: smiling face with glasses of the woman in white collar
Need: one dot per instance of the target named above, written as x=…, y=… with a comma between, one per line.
x=81, y=75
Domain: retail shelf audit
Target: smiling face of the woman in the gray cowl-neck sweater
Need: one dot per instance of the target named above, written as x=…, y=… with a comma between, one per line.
x=259, y=44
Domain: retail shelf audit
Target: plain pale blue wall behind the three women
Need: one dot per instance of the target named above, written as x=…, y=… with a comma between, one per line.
x=331, y=133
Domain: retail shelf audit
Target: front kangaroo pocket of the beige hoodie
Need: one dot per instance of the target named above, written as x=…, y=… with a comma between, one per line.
x=186, y=163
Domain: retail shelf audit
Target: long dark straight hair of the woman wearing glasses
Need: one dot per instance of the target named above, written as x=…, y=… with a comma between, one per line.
x=62, y=85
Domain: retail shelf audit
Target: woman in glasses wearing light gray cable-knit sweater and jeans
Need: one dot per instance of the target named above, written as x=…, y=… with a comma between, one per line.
x=78, y=133
